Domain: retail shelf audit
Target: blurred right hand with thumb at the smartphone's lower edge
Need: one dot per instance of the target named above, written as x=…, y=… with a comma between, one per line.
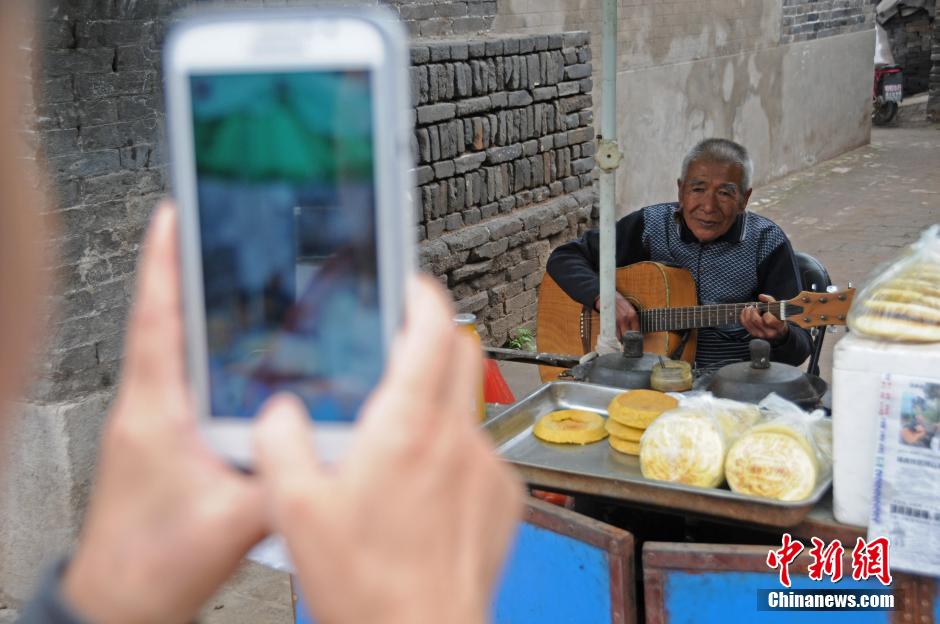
x=414, y=524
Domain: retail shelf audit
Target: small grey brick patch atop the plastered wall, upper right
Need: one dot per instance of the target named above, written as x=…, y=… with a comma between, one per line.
x=813, y=19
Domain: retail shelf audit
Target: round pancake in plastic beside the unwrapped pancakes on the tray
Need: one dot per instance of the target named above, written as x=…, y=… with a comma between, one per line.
x=684, y=446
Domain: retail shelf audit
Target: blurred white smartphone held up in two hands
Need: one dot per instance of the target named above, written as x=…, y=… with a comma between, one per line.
x=291, y=160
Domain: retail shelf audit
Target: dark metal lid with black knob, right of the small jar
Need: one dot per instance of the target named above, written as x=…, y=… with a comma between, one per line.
x=752, y=381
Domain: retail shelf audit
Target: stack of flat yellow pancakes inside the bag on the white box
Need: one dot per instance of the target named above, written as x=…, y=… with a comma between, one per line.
x=904, y=307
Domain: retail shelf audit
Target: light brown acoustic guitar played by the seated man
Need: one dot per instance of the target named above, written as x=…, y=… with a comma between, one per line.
x=665, y=299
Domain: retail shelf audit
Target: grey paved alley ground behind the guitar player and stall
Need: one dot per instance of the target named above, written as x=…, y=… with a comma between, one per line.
x=852, y=213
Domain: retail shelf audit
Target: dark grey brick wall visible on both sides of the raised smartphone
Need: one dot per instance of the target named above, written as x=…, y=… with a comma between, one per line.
x=503, y=132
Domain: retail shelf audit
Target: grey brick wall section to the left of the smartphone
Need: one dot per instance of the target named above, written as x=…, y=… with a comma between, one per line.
x=100, y=124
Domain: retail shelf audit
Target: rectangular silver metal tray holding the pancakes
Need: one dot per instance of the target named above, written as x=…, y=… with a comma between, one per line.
x=599, y=470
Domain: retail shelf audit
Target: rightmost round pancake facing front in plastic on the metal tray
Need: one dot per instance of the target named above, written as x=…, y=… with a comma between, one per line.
x=774, y=461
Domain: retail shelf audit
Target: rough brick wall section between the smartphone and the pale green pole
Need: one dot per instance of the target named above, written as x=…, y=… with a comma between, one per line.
x=505, y=149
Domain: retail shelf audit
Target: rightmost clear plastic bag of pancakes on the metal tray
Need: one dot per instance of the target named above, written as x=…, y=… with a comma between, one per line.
x=784, y=456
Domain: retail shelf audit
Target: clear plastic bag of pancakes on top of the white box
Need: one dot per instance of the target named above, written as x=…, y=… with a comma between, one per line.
x=902, y=304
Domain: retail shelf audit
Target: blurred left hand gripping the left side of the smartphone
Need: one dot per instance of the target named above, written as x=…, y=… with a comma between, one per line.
x=168, y=520
